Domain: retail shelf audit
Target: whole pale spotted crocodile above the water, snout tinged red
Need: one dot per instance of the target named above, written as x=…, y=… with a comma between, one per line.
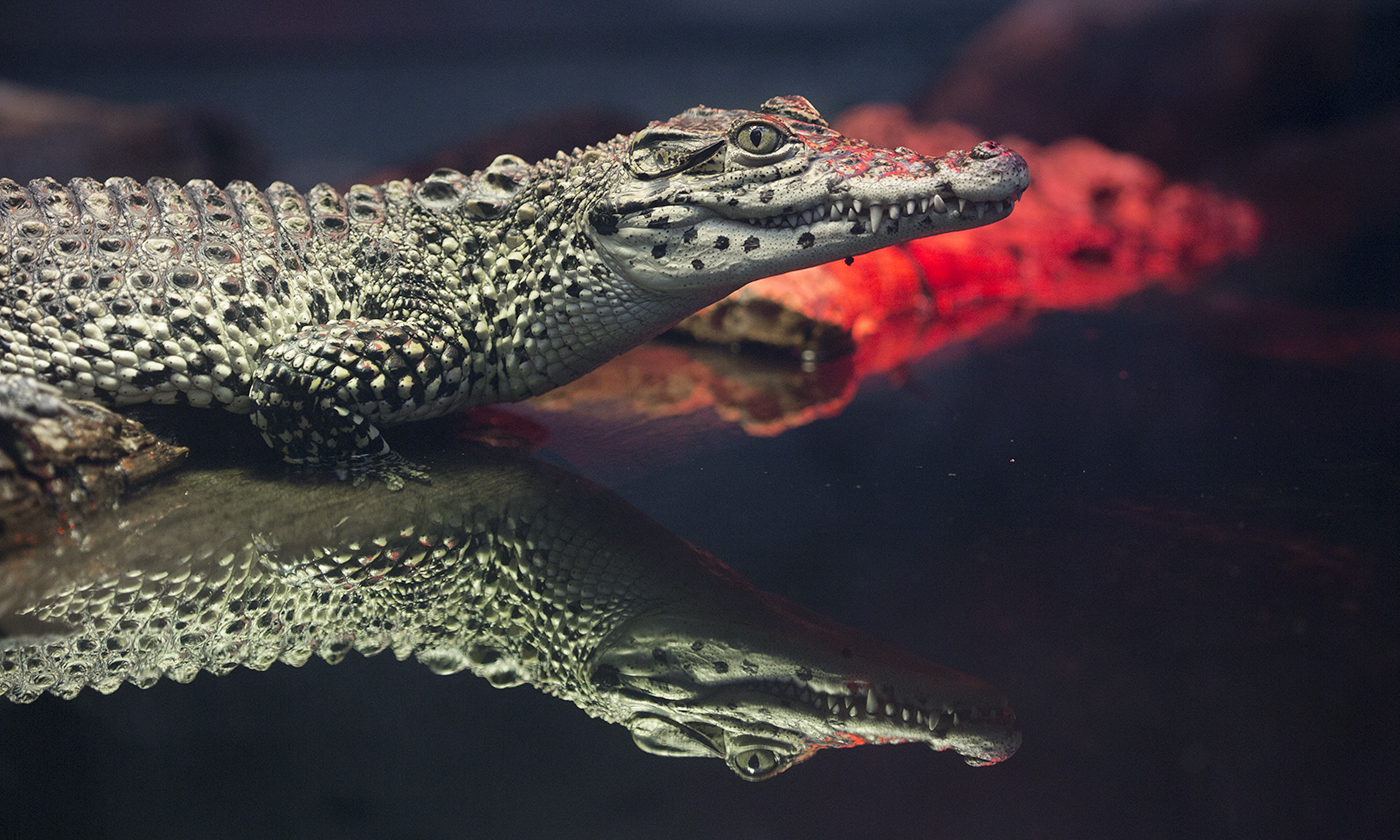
x=327, y=317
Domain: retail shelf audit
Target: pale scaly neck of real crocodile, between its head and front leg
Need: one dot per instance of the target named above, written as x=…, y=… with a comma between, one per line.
x=509, y=255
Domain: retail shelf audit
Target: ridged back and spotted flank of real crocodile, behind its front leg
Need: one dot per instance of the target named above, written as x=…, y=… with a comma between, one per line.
x=129, y=293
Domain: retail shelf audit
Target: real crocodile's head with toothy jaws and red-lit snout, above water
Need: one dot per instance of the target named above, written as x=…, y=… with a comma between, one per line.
x=713, y=199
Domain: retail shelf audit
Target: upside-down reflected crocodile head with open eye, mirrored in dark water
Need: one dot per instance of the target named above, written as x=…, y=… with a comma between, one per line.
x=766, y=684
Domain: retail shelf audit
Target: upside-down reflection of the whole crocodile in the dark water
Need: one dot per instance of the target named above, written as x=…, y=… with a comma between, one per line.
x=510, y=569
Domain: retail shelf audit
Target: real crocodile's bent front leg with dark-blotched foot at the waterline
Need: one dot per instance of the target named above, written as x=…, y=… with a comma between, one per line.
x=321, y=394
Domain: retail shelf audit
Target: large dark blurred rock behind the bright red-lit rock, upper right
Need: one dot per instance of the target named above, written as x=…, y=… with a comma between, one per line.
x=1293, y=104
